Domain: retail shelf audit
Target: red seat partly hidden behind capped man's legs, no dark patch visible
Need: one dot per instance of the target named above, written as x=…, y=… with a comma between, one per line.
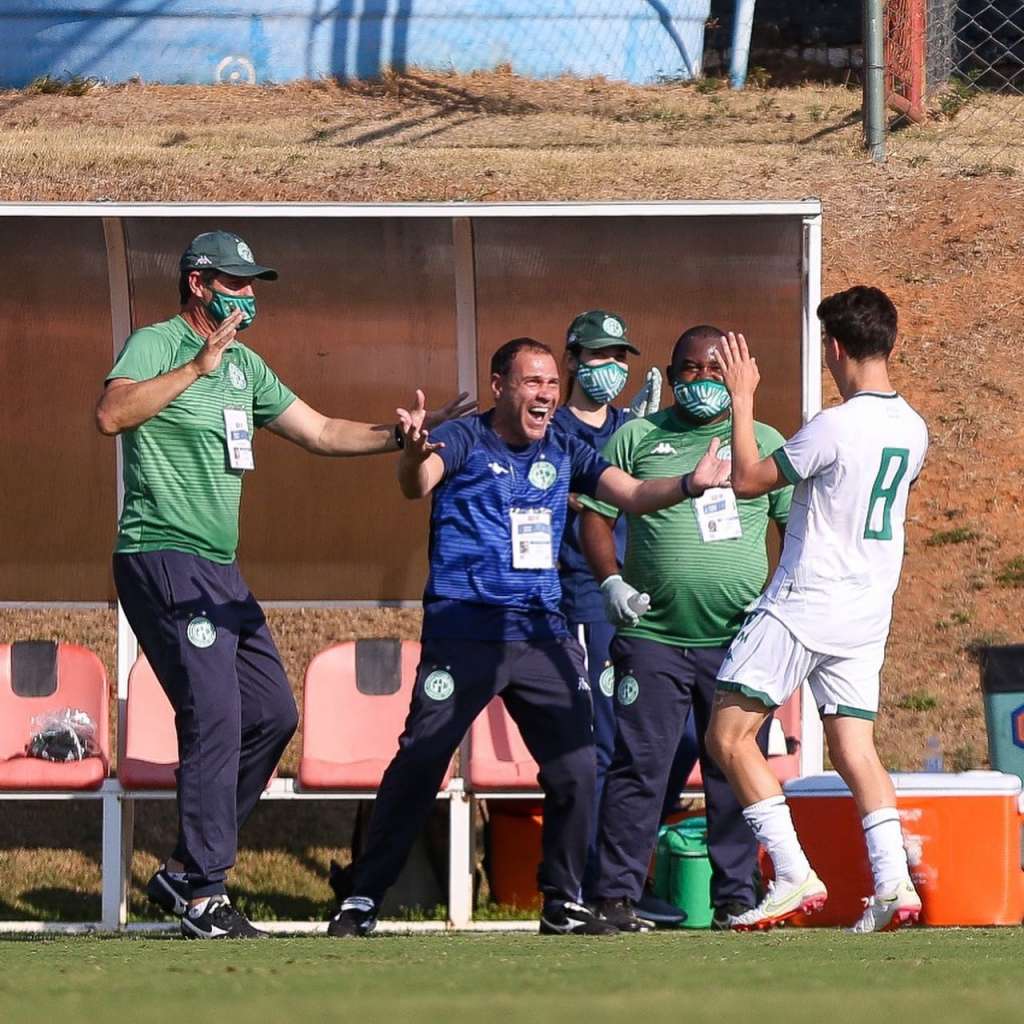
x=151, y=745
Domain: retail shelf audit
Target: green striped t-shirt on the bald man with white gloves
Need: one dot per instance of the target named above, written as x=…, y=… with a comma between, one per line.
x=699, y=592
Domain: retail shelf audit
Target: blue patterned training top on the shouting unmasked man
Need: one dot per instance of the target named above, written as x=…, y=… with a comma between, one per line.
x=474, y=592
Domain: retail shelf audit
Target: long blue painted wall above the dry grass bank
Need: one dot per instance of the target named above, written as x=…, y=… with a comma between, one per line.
x=283, y=40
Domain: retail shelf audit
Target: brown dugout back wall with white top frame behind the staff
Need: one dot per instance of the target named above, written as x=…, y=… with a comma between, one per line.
x=372, y=303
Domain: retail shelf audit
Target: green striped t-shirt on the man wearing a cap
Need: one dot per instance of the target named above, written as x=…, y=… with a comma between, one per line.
x=181, y=493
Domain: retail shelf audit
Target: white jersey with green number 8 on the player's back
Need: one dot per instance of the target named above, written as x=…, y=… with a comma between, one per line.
x=852, y=466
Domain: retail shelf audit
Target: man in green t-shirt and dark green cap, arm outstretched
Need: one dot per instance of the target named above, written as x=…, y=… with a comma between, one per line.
x=186, y=396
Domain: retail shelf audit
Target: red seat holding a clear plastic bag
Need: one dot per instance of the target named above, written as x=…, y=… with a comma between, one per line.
x=42, y=677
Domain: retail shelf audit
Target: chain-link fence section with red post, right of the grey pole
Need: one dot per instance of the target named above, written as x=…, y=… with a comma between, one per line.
x=956, y=82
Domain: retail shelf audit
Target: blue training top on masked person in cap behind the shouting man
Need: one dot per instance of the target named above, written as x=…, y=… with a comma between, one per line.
x=581, y=594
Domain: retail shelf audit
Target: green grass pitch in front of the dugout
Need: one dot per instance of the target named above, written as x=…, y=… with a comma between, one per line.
x=970, y=975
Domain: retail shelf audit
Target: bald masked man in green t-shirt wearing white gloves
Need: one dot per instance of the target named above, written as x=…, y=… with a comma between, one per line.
x=678, y=602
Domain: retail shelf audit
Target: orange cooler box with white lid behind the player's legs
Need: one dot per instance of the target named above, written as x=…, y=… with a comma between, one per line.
x=963, y=837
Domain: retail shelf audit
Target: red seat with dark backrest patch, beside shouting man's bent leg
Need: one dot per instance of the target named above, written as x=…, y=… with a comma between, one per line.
x=355, y=705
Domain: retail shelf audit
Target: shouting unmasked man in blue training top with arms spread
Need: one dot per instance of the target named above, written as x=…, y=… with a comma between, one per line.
x=492, y=623
